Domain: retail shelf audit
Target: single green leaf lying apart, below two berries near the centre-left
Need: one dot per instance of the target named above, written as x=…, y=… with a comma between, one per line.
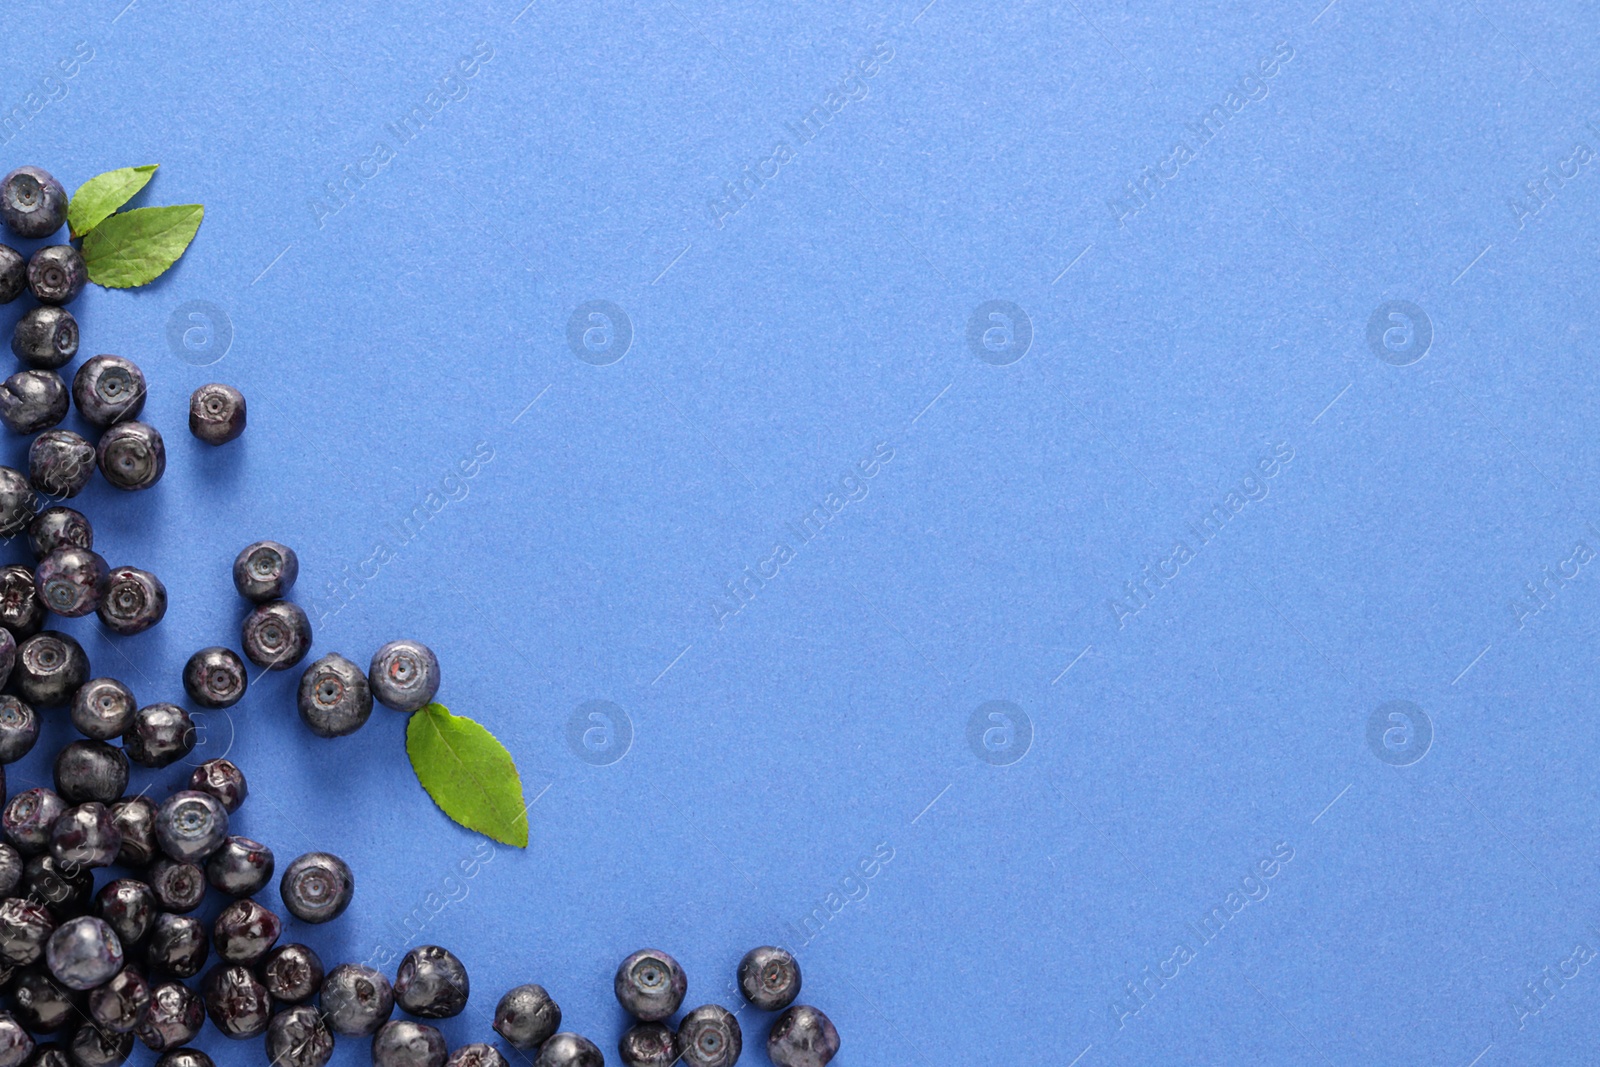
x=468, y=773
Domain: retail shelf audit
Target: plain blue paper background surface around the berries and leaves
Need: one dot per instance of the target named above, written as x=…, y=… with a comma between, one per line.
x=1151, y=761
